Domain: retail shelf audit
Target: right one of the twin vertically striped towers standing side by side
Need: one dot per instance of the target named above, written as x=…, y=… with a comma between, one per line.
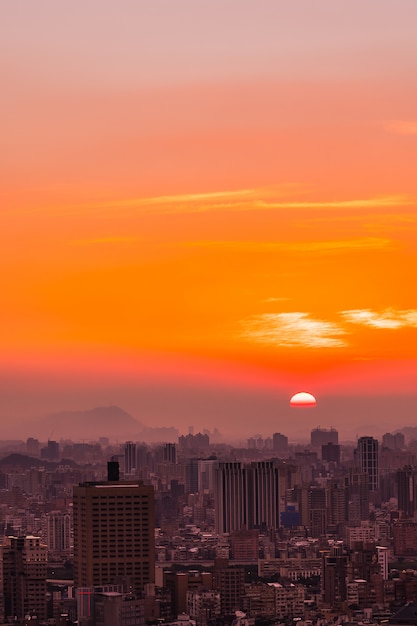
x=264, y=498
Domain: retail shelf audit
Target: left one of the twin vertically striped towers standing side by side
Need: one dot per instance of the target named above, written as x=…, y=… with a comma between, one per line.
x=231, y=497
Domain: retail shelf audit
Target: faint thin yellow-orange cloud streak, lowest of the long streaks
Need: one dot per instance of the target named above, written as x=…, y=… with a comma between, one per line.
x=302, y=246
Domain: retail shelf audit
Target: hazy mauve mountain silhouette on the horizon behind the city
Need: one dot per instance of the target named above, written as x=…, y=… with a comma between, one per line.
x=104, y=421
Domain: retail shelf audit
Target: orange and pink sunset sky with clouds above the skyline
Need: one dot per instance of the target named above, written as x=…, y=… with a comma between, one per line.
x=207, y=206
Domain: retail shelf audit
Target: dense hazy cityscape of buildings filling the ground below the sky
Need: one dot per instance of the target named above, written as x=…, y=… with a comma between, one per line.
x=194, y=533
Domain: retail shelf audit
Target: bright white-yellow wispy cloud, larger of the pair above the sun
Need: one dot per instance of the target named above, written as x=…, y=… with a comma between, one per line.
x=296, y=329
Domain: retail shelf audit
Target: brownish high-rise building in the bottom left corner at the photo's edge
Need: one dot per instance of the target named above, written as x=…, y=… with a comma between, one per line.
x=24, y=574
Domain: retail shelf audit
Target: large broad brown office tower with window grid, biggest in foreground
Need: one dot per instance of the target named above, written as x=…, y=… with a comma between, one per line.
x=113, y=533
